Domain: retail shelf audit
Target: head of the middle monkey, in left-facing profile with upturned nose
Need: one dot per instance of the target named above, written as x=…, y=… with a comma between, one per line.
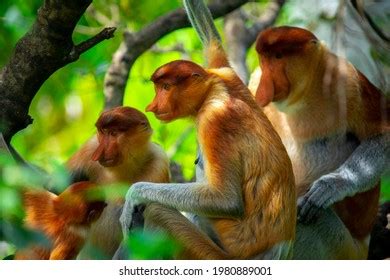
x=180, y=90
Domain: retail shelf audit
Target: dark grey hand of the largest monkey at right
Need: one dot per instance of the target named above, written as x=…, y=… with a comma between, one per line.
x=324, y=192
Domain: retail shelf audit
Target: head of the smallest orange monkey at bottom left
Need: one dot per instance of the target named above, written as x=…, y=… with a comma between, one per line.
x=79, y=204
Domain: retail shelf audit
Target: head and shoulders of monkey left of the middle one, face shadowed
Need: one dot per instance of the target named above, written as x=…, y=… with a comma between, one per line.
x=121, y=152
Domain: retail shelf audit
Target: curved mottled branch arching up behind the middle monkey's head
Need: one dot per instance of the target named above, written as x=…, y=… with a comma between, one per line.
x=134, y=44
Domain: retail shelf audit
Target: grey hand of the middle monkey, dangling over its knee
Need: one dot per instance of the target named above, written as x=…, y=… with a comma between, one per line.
x=131, y=210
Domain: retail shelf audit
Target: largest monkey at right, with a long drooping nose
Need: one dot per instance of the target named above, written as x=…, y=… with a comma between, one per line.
x=333, y=122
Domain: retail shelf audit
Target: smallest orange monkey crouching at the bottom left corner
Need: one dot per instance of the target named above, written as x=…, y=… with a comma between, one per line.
x=64, y=219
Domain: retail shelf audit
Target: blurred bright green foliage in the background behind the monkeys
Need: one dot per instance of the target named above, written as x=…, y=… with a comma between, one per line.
x=68, y=104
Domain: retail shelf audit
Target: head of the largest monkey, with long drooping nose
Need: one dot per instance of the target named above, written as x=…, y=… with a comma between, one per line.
x=287, y=56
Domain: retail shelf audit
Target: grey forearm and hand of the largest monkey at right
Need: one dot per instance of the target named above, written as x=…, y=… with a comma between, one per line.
x=361, y=171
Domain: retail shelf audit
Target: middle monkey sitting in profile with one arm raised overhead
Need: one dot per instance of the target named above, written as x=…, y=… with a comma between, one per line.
x=247, y=196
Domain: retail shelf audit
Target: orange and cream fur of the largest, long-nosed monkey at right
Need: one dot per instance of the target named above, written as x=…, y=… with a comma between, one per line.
x=317, y=95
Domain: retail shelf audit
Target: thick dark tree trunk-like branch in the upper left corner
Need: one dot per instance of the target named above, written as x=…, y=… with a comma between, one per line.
x=45, y=48
